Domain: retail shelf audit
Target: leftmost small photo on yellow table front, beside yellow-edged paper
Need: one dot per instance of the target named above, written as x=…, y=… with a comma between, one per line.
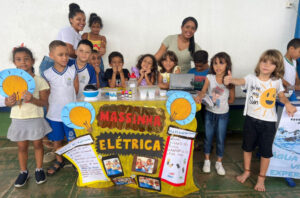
x=112, y=165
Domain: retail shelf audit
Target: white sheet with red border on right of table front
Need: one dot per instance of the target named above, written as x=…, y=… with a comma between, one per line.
x=176, y=160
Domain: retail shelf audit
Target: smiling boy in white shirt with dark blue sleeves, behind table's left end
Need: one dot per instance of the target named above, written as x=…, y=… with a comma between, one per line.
x=86, y=73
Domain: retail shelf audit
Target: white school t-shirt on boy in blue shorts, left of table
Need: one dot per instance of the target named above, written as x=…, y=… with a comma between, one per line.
x=62, y=90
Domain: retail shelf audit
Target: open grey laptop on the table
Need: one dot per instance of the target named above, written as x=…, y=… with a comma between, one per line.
x=182, y=82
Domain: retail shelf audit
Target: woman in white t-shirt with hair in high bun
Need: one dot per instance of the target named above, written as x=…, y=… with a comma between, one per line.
x=70, y=35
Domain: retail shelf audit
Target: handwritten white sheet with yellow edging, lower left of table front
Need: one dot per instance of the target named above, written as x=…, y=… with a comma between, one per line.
x=87, y=164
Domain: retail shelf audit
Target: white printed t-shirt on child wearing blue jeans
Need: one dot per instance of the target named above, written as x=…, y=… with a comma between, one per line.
x=219, y=95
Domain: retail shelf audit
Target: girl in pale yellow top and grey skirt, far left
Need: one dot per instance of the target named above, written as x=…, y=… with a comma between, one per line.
x=28, y=123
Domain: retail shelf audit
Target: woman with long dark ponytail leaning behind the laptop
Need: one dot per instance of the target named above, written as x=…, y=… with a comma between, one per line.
x=183, y=45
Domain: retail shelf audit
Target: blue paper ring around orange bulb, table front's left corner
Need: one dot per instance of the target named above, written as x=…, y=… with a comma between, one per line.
x=65, y=113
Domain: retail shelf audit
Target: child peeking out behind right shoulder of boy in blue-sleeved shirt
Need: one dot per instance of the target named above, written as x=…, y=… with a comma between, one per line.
x=96, y=62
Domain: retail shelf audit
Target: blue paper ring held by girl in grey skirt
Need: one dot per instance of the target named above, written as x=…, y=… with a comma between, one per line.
x=16, y=72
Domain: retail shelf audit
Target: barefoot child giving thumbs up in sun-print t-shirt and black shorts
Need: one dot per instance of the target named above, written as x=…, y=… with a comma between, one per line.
x=259, y=127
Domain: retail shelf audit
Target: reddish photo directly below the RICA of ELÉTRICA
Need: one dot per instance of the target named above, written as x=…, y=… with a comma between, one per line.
x=144, y=164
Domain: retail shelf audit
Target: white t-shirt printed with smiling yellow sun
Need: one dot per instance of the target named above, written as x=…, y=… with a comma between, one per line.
x=261, y=97
